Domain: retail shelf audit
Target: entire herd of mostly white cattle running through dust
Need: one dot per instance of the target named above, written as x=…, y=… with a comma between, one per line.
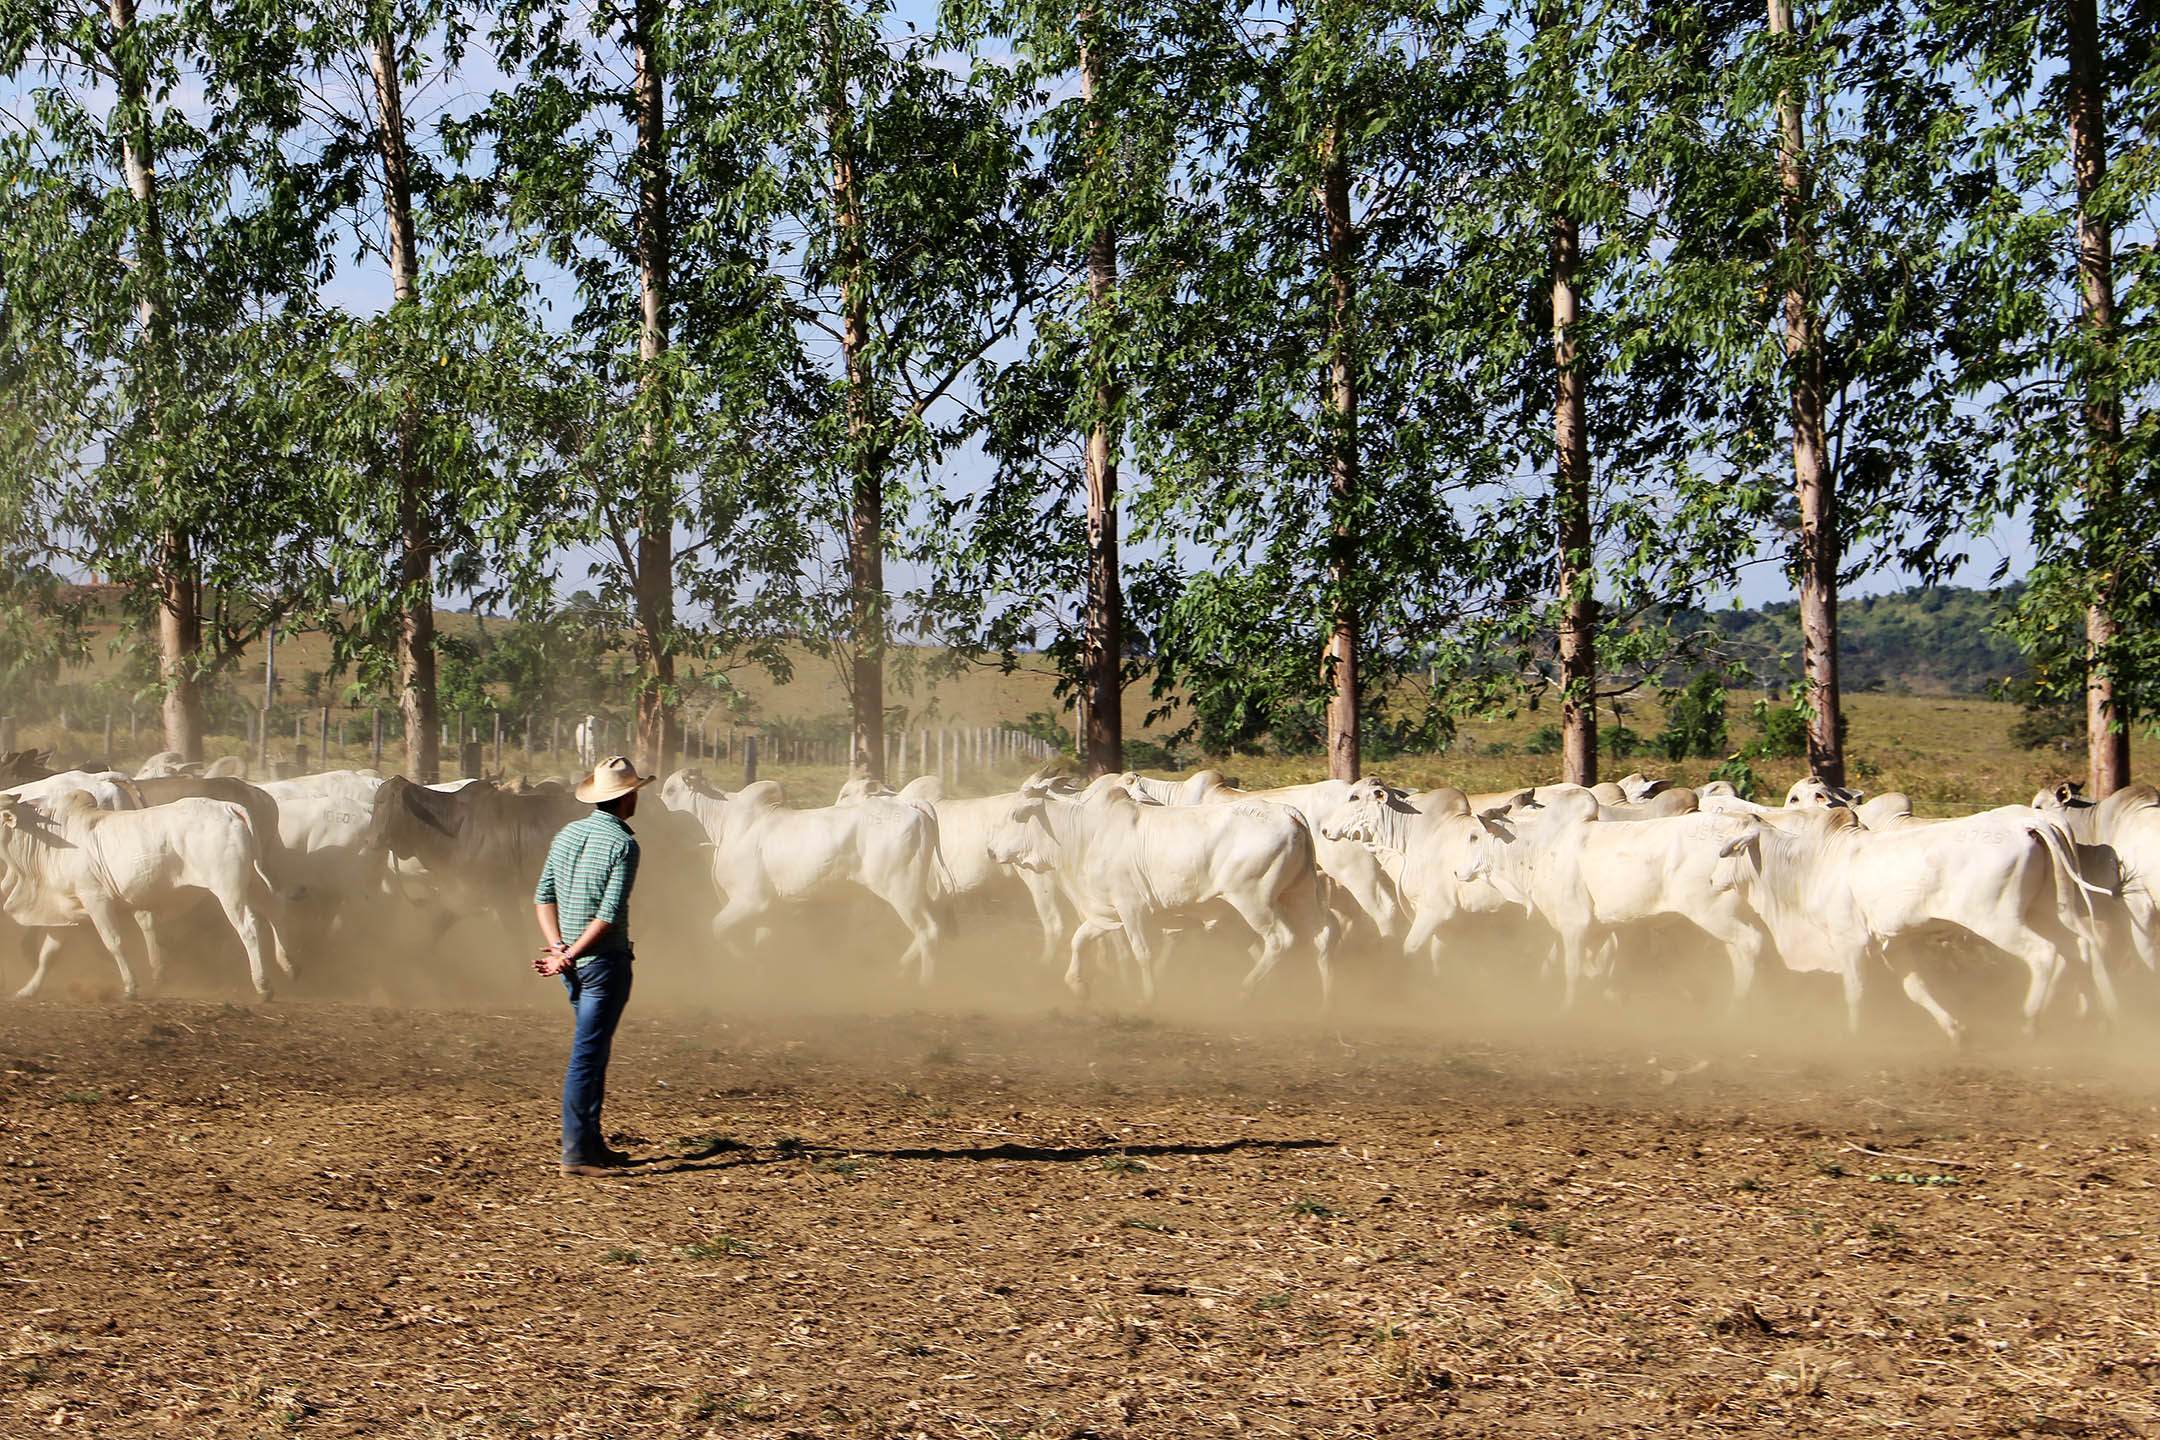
x=1569, y=880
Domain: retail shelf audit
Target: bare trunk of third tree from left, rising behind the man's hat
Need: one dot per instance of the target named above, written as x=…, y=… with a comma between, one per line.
x=656, y=524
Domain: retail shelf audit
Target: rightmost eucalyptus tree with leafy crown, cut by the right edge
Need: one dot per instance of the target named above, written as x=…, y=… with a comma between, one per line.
x=2066, y=247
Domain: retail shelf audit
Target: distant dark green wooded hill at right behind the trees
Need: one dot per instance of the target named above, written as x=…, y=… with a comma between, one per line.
x=1934, y=640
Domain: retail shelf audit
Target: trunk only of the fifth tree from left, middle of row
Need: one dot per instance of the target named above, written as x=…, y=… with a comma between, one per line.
x=1103, y=685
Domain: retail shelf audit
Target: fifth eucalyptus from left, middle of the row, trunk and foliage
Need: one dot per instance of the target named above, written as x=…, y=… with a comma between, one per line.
x=1038, y=552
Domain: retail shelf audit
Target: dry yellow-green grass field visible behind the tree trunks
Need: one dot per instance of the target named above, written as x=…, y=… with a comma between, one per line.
x=1947, y=752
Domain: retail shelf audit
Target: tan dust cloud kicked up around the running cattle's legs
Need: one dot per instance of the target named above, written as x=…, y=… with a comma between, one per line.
x=1666, y=996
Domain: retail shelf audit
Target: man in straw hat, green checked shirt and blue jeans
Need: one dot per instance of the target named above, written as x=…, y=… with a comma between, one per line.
x=586, y=891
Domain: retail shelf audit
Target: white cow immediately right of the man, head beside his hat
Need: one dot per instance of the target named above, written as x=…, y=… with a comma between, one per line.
x=768, y=856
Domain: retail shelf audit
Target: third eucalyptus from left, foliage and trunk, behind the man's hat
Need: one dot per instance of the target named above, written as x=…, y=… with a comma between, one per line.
x=619, y=152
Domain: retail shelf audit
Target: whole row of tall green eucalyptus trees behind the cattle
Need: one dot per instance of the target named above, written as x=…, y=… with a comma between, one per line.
x=1306, y=368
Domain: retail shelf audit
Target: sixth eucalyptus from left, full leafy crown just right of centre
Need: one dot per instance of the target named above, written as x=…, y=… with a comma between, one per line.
x=1301, y=385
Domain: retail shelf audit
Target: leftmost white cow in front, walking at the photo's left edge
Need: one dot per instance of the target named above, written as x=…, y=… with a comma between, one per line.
x=96, y=867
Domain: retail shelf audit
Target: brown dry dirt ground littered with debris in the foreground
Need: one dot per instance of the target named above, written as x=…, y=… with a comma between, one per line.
x=334, y=1219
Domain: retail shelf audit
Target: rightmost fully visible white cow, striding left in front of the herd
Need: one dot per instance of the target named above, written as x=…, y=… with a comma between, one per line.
x=1837, y=895
